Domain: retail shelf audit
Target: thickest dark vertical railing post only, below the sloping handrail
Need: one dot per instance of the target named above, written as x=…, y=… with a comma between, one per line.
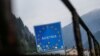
x=77, y=35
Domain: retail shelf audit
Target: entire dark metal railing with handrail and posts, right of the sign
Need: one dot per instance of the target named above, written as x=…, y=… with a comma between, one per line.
x=94, y=45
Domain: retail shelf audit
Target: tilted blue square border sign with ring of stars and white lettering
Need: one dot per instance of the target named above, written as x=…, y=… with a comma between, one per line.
x=48, y=37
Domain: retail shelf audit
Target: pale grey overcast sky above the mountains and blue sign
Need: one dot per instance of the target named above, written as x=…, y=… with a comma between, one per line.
x=38, y=12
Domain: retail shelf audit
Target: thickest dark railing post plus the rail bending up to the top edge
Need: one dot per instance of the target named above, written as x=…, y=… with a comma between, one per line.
x=75, y=27
